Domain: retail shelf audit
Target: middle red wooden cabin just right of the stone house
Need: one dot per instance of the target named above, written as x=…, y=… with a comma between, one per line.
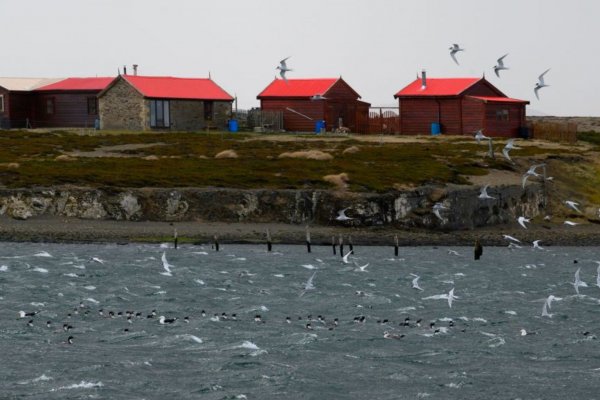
x=304, y=102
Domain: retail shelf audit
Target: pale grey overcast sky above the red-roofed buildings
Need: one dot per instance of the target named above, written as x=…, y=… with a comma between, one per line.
x=377, y=46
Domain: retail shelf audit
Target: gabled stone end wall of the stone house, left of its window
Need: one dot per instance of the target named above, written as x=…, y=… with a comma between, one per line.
x=122, y=107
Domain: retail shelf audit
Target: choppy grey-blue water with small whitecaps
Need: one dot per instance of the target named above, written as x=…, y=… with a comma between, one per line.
x=475, y=349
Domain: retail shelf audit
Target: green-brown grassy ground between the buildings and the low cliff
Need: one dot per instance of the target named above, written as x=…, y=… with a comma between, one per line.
x=187, y=160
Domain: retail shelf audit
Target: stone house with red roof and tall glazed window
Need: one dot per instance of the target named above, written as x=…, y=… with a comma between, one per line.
x=136, y=102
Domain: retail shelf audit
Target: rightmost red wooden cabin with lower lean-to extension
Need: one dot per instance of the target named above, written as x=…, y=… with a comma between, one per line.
x=458, y=106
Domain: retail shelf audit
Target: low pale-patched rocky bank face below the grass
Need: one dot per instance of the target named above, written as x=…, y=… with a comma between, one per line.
x=404, y=209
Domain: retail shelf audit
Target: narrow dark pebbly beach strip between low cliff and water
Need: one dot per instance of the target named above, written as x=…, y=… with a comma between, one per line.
x=74, y=230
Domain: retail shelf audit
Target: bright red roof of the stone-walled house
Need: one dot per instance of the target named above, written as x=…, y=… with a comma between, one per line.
x=168, y=87
